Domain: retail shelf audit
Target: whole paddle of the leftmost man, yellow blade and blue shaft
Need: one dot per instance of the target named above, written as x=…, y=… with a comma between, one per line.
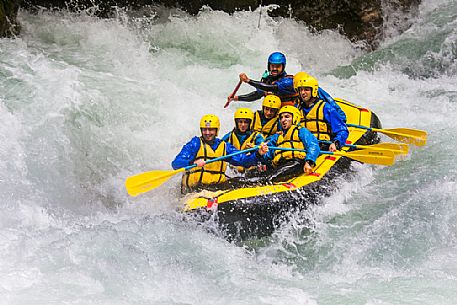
x=147, y=181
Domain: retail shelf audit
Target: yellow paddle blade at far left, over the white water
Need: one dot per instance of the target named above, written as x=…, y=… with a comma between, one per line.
x=147, y=181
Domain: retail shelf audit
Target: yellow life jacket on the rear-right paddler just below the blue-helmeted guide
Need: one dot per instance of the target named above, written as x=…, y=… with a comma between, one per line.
x=314, y=122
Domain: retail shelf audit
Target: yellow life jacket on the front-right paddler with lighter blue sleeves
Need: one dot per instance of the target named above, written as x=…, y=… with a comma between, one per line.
x=289, y=140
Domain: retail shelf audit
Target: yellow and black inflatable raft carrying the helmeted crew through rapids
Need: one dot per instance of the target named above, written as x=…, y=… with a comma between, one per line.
x=256, y=211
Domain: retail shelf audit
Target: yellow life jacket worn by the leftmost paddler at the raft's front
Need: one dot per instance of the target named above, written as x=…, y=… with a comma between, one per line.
x=210, y=173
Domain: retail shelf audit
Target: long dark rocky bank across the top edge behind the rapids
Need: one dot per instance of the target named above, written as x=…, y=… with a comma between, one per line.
x=359, y=20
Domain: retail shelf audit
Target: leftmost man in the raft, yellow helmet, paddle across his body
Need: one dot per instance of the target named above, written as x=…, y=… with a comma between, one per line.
x=201, y=149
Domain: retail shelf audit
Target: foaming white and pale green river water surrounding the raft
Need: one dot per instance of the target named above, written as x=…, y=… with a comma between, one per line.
x=85, y=103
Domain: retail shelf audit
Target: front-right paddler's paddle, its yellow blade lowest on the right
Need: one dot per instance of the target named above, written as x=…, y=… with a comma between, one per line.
x=366, y=156
